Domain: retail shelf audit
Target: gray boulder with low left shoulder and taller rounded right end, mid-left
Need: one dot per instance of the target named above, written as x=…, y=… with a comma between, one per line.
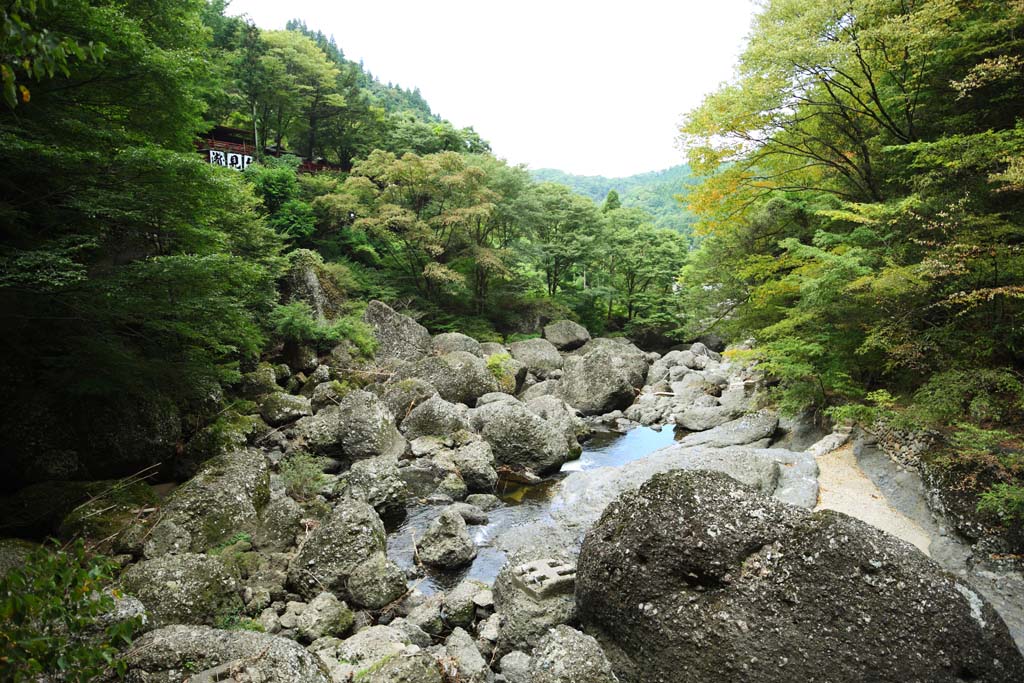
x=361, y=426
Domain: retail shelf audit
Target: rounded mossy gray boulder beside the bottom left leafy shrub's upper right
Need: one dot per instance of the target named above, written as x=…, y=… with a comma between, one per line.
x=184, y=589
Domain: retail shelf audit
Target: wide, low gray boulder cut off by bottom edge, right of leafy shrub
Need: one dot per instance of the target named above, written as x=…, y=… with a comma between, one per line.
x=178, y=654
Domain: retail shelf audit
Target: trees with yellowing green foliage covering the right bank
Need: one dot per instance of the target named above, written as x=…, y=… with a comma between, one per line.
x=863, y=216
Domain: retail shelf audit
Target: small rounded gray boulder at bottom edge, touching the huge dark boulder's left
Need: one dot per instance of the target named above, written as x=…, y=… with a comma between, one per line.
x=566, y=656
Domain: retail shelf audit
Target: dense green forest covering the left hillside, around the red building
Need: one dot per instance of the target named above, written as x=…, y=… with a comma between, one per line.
x=140, y=281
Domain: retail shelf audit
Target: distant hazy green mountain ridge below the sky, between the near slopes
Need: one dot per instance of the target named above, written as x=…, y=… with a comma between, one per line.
x=655, y=192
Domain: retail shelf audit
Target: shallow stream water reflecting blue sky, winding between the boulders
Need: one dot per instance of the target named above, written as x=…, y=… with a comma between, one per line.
x=523, y=505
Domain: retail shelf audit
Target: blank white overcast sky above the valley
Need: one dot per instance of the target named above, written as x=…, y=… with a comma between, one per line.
x=595, y=89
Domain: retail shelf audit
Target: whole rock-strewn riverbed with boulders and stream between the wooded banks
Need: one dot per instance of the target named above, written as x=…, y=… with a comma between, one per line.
x=431, y=524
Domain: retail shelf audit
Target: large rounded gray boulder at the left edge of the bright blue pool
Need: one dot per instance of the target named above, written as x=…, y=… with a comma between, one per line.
x=521, y=439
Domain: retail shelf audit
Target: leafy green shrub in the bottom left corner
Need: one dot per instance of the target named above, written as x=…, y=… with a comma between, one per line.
x=53, y=608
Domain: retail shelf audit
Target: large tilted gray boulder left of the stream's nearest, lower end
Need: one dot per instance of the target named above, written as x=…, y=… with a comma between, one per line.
x=352, y=535
